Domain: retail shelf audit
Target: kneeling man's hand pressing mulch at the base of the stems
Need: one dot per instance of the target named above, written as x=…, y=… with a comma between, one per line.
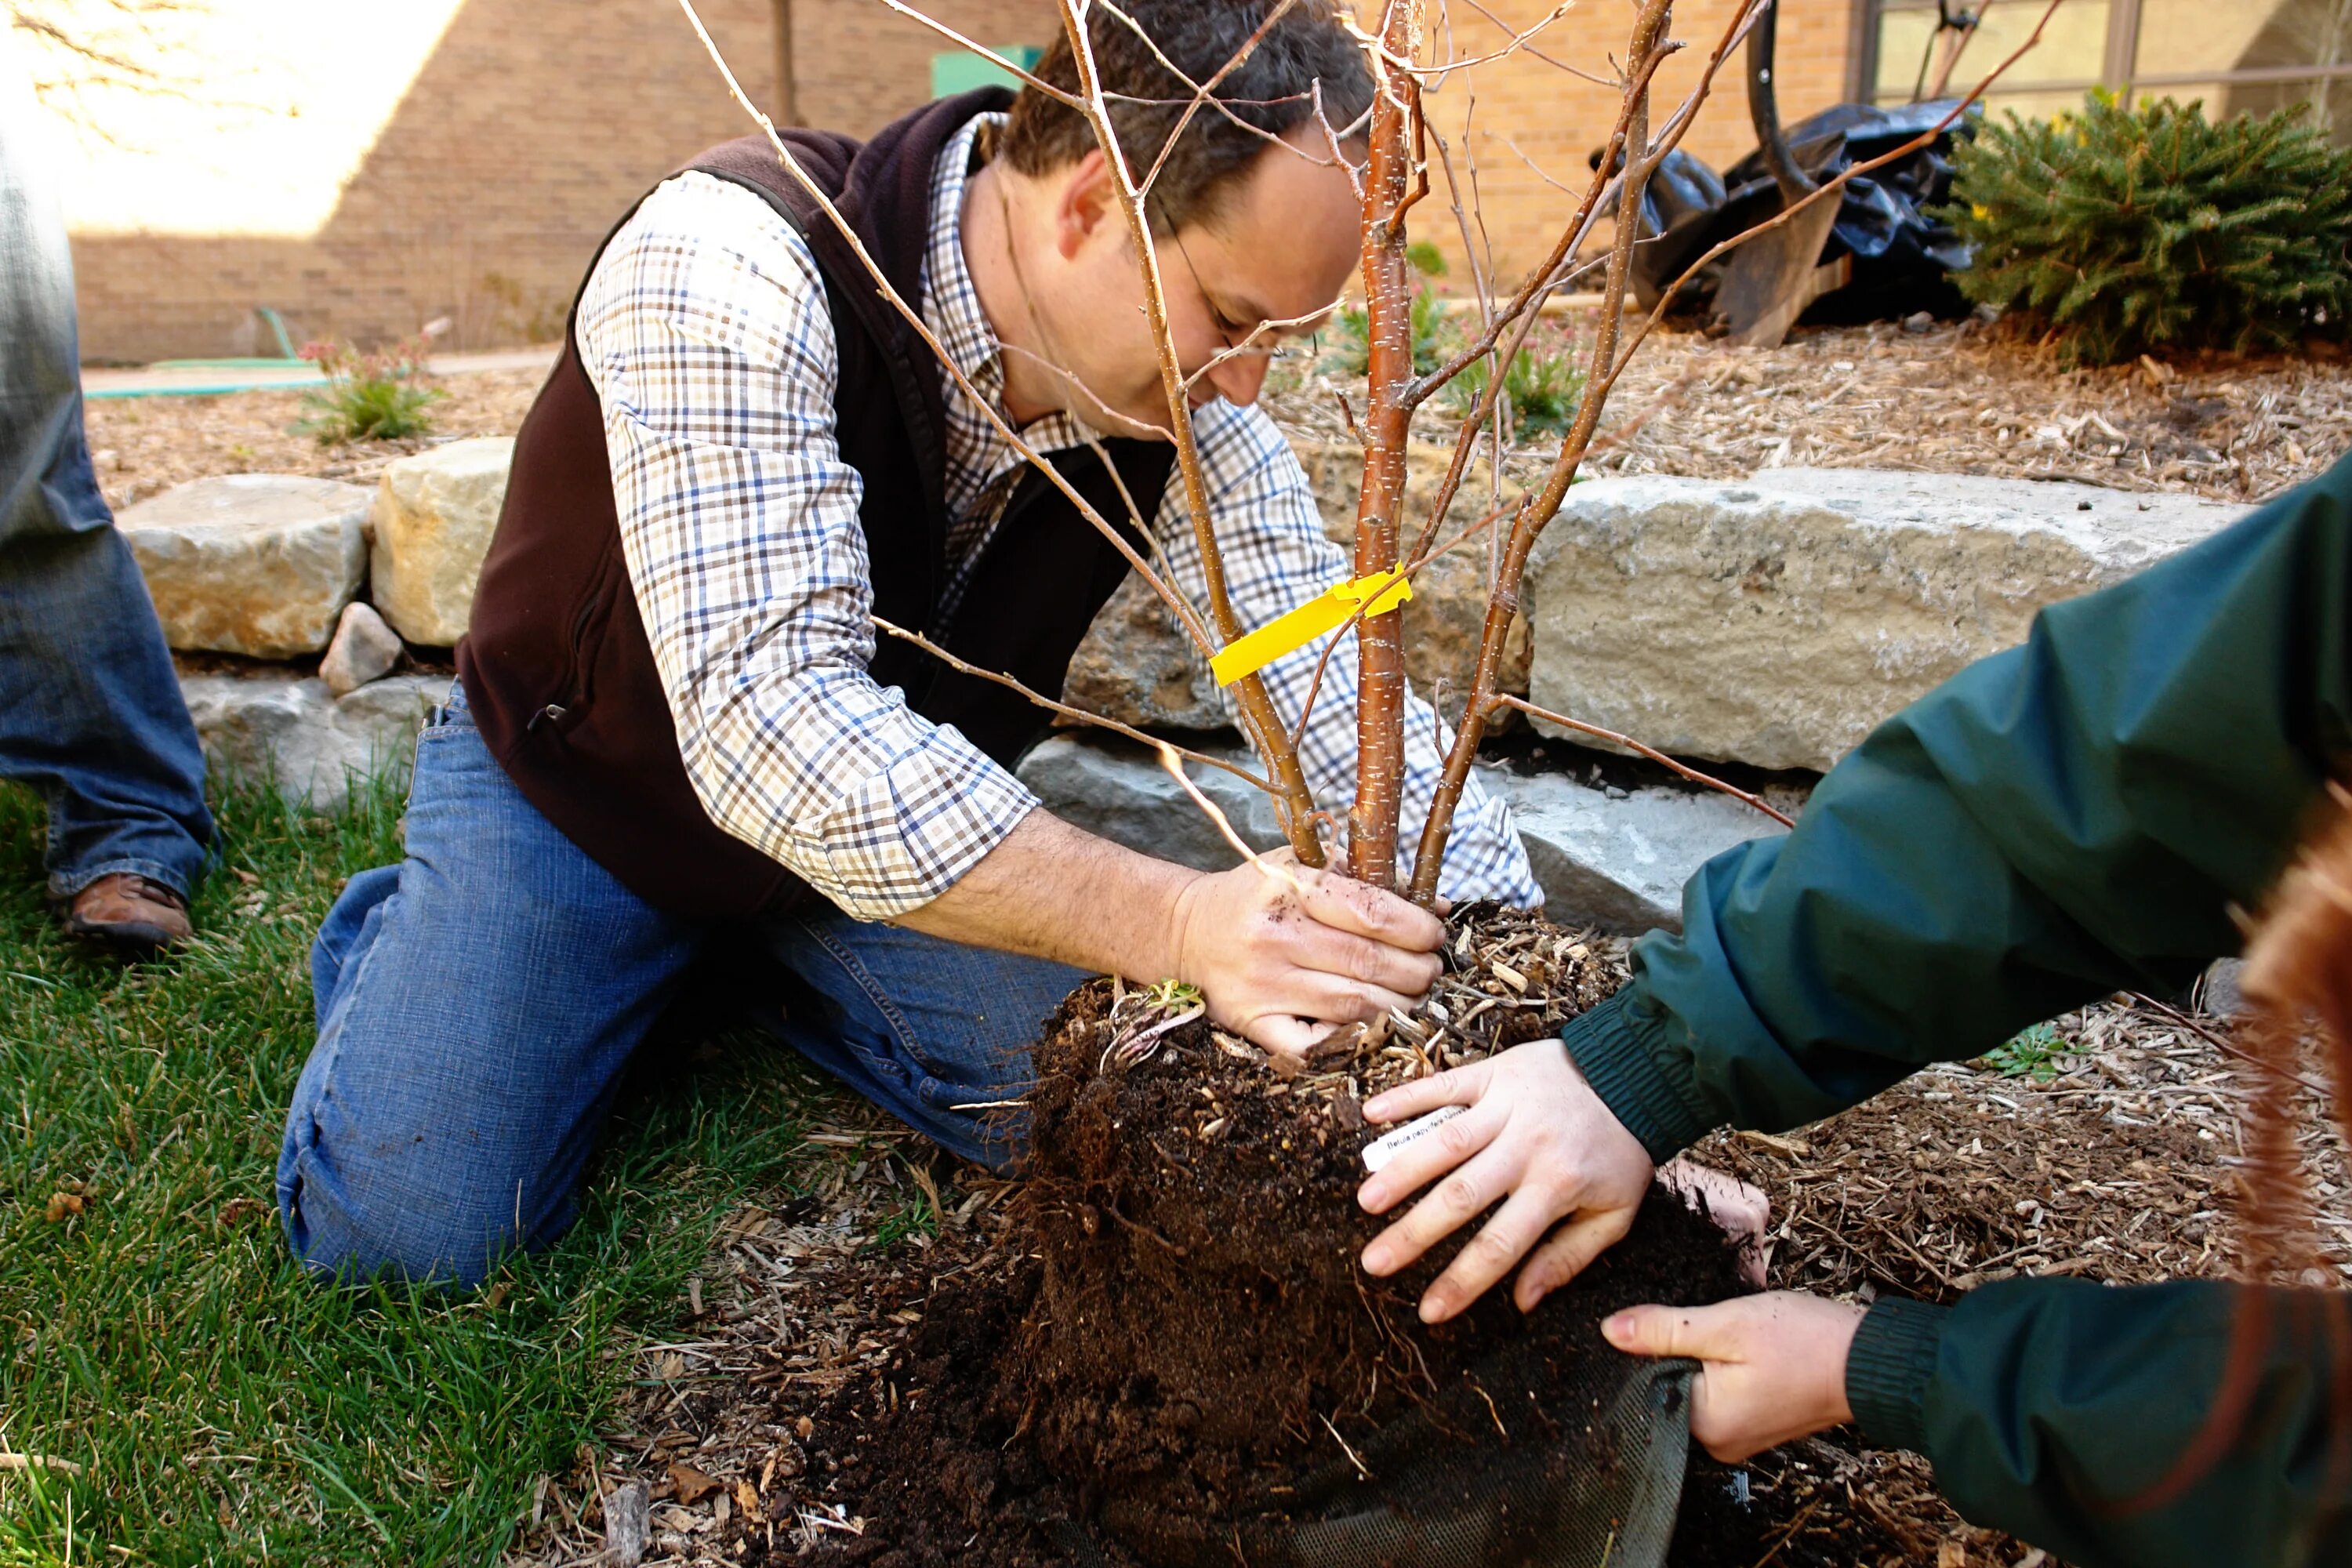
x=1285, y=960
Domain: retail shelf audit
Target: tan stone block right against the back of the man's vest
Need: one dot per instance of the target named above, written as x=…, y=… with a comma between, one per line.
x=432, y=528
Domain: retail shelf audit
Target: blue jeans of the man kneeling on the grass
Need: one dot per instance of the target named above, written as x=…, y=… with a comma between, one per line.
x=481, y=1000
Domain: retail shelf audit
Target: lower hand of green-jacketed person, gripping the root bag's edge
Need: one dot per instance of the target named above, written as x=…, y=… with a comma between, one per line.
x=1772, y=1367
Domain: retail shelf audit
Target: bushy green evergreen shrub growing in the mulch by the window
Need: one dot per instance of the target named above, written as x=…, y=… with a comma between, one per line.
x=2141, y=229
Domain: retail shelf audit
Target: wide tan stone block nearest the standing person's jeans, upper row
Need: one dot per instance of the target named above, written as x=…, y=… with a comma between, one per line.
x=258, y=565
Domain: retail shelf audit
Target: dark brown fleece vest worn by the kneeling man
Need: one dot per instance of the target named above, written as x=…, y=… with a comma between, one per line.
x=559, y=669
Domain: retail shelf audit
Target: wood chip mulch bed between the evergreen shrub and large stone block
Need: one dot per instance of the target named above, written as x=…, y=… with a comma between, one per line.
x=1953, y=398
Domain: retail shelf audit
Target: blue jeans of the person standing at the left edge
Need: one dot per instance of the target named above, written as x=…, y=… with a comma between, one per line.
x=91, y=711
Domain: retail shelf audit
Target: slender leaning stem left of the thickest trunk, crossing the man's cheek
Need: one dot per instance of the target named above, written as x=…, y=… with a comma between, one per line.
x=1292, y=798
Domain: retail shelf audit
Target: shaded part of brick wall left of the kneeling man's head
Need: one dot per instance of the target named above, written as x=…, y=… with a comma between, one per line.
x=505, y=166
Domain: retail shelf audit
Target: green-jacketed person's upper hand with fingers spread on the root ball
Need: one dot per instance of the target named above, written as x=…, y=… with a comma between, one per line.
x=1535, y=1134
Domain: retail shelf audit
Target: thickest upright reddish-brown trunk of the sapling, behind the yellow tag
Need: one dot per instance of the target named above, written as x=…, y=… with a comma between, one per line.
x=1389, y=302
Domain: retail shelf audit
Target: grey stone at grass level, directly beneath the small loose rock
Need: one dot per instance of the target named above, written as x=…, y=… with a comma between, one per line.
x=307, y=742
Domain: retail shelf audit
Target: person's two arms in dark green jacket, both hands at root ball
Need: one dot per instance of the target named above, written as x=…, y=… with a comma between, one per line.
x=2059, y=822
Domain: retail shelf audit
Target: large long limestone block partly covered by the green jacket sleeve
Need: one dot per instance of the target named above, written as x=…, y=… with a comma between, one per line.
x=1782, y=619
